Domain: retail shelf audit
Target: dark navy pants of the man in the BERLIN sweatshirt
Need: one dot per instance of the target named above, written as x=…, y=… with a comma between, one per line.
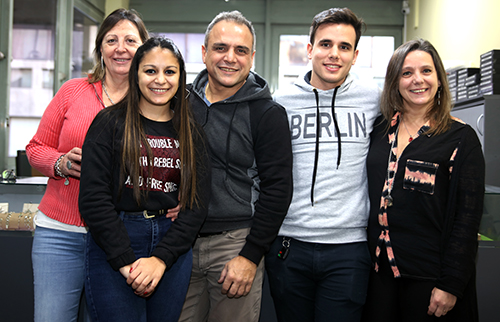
x=319, y=282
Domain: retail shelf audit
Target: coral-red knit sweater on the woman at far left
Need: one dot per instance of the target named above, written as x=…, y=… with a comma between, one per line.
x=63, y=126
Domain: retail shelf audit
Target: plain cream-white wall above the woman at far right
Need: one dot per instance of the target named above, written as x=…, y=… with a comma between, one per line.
x=461, y=30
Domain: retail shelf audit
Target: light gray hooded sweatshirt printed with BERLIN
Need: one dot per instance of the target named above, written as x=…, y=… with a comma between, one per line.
x=330, y=201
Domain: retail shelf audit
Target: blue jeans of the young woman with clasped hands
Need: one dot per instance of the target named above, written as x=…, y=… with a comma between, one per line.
x=110, y=298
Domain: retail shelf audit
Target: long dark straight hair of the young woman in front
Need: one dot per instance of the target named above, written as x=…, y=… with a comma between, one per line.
x=182, y=120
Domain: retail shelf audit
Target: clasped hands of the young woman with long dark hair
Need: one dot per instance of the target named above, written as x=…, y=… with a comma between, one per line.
x=145, y=274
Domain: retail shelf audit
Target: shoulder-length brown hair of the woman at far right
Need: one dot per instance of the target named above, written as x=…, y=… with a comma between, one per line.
x=391, y=100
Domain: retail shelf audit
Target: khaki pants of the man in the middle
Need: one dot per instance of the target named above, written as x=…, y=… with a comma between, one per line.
x=204, y=300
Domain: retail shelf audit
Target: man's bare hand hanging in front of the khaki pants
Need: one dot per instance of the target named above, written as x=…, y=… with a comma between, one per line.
x=237, y=277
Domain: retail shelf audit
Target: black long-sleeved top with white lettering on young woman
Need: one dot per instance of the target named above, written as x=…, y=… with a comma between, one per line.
x=105, y=191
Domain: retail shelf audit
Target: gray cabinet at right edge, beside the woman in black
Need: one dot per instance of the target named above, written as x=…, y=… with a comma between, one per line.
x=483, y=114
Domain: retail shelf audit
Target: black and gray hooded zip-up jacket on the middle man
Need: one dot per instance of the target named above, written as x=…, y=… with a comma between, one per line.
x=250, y=147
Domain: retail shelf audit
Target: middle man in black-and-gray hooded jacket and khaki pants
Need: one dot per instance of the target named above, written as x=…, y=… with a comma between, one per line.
x=250, y=148
